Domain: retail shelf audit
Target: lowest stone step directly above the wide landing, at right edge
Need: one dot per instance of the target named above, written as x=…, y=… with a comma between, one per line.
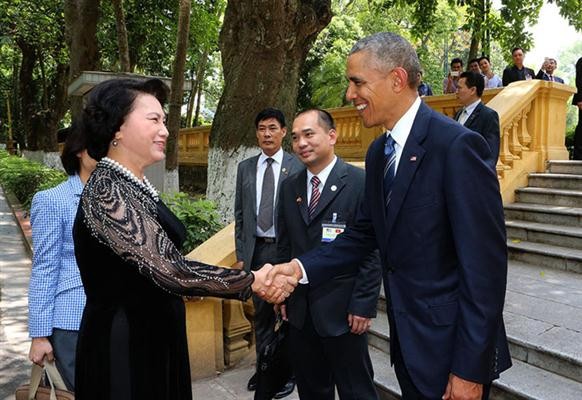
x=545, y=255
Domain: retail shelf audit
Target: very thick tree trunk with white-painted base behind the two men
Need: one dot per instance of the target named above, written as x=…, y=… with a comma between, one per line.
x=263, y=46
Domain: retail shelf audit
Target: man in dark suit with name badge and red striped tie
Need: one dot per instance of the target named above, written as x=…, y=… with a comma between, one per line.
x=328, y=323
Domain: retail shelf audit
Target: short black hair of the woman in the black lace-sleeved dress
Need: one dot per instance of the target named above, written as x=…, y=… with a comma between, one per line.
x=108, y=104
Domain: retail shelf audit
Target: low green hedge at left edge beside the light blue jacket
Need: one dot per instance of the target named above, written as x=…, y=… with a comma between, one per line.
x=24, y=178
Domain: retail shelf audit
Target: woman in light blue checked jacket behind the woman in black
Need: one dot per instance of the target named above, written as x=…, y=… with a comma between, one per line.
x=55, y=296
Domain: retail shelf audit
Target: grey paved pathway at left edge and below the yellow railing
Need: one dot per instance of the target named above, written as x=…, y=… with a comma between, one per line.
x=14, y=342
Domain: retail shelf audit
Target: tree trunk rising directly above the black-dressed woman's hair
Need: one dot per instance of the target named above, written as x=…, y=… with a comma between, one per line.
x=81, y=18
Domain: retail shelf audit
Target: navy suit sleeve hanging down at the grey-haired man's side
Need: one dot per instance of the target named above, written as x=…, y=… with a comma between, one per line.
x=477, y=223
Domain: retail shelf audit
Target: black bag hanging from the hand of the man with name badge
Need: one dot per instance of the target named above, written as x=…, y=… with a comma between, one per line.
x=273, y=364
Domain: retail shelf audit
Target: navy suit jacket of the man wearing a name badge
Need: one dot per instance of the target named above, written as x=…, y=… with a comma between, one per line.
x=355, y=292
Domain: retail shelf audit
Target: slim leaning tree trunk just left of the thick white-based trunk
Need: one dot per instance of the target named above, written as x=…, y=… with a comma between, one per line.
x=177, y=94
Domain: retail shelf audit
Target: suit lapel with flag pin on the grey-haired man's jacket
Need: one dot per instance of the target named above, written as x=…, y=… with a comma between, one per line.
x=410, y=160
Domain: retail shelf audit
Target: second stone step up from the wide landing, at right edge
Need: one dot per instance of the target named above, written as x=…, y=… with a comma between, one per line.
x=565, y=236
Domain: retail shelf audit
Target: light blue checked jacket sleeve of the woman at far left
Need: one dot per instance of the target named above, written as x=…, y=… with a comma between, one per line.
x=45, y=220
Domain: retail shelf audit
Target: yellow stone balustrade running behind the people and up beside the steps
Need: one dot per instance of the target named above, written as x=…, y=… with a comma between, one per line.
x=532, y=121
